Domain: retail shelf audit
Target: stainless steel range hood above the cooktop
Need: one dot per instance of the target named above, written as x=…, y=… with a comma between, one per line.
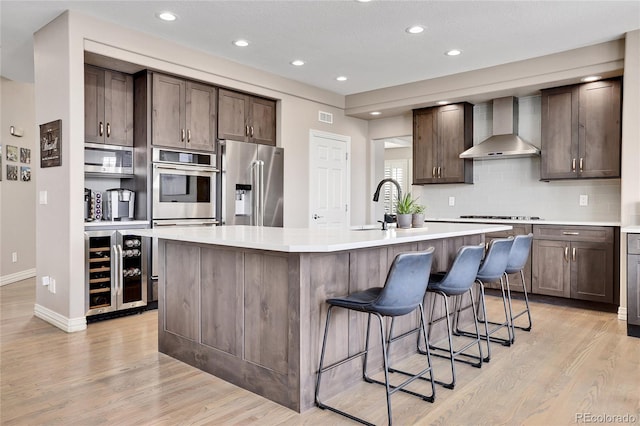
x=505, y=143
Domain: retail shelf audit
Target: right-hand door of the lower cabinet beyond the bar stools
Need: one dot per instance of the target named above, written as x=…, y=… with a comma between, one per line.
x=592, y=271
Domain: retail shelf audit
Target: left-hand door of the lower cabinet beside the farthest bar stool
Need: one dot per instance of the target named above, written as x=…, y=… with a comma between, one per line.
x=551, y=268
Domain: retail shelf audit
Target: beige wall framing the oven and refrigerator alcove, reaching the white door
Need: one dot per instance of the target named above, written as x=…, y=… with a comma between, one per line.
x=61, y=46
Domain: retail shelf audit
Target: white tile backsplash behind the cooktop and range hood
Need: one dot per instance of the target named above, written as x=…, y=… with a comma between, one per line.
x=512, y=186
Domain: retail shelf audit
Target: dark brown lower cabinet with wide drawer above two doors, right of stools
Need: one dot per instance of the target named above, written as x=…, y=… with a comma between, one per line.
x=577, y=262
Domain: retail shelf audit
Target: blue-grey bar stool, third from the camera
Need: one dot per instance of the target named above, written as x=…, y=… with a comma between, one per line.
x=492, y=269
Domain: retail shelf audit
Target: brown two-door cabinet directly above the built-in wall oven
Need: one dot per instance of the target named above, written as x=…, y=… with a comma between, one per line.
x=184, y=113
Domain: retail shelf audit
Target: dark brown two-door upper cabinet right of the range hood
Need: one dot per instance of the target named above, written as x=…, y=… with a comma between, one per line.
x=581, y=131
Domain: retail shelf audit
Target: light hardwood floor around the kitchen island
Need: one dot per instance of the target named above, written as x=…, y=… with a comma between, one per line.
x=573, y=362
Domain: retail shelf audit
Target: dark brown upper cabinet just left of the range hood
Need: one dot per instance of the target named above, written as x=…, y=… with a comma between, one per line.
x=440, y=135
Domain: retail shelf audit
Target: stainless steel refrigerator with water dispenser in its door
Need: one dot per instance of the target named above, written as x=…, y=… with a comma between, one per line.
x=252, y=184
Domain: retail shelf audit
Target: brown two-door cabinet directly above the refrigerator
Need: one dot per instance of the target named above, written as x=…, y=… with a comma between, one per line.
x=246, y=118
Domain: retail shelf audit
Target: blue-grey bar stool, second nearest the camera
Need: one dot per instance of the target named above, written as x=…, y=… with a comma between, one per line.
x=457, y=281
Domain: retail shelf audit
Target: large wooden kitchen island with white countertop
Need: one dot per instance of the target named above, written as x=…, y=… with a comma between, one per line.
x=247, y=304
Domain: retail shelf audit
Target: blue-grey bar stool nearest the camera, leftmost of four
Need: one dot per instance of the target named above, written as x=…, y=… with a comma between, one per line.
x=402, y=294
